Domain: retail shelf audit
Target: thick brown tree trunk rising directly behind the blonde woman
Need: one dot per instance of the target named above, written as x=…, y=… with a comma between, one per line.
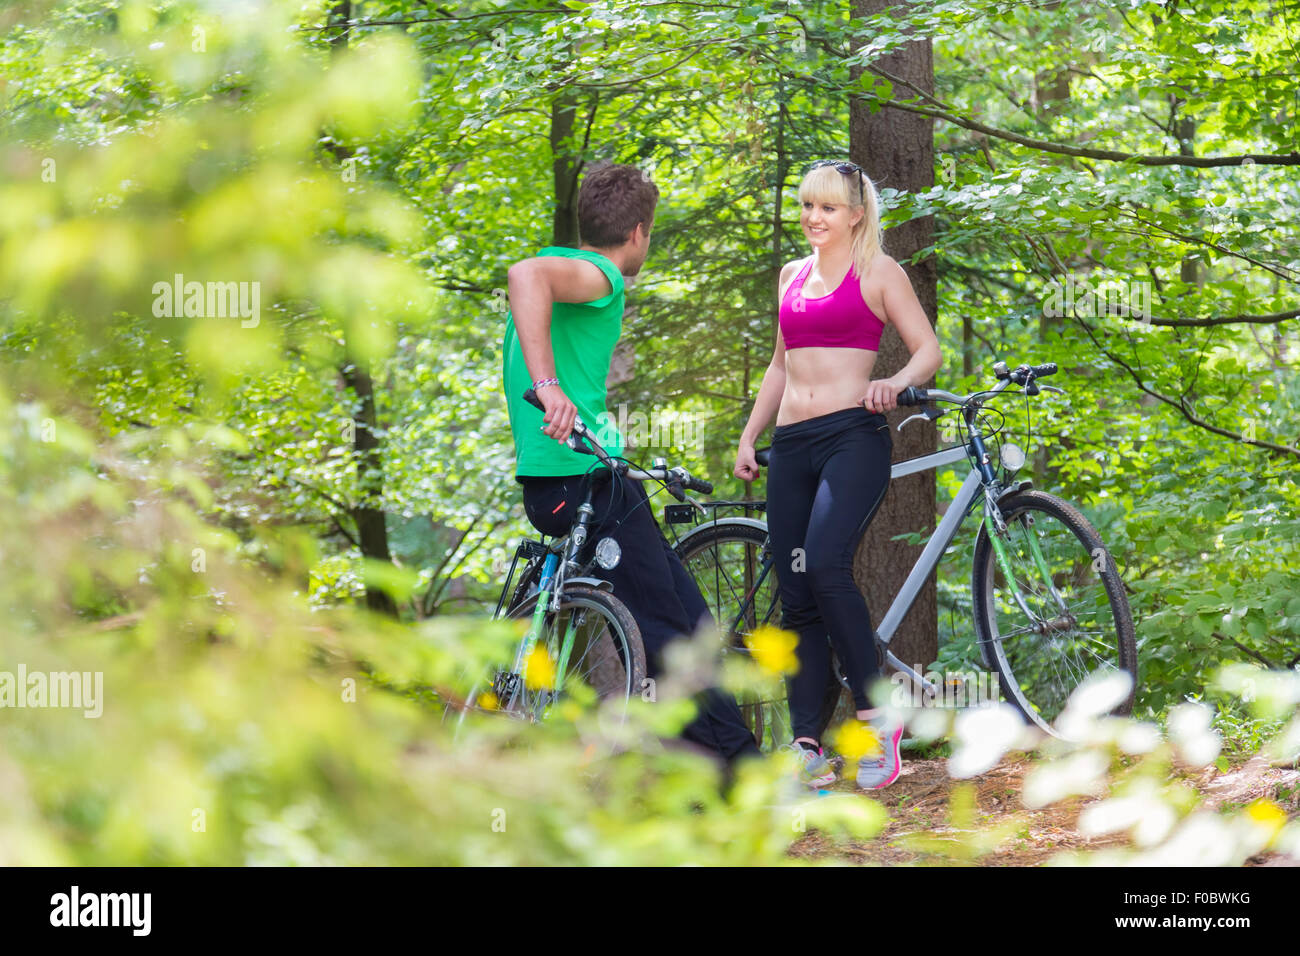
x=898, y=150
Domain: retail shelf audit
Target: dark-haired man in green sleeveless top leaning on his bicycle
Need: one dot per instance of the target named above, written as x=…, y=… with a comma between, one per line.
x=566, y=318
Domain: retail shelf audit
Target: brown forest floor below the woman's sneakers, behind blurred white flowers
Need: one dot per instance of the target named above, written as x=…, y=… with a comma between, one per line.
x=922, y=830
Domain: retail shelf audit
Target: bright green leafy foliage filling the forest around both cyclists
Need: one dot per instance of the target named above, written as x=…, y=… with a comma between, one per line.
x=183, y=490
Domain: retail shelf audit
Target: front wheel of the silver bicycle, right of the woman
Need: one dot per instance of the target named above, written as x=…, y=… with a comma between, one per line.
x=1060, y=617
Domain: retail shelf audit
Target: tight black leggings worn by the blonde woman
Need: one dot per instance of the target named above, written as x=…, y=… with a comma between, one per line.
x=826, y=479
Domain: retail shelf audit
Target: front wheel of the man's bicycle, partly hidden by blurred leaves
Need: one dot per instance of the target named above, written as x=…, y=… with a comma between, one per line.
x=604, y=651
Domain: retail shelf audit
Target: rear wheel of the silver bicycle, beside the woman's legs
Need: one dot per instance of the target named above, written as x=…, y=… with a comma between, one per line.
x=727, y=564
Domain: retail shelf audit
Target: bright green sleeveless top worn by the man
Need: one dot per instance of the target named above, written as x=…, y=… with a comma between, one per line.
x=583, y=340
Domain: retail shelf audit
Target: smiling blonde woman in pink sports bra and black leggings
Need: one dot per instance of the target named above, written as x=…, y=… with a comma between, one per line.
x=831, y=449
